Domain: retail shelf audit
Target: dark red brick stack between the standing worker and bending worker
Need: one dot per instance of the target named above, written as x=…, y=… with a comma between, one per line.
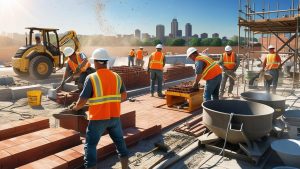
x=178, y=72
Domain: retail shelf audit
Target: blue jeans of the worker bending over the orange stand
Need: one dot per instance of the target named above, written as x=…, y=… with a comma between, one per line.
x=212, y=88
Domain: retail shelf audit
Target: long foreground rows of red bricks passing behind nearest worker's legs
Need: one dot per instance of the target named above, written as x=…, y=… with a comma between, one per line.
x=32, y=144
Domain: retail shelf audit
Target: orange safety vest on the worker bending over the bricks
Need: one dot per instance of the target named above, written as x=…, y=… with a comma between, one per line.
x=211, y=69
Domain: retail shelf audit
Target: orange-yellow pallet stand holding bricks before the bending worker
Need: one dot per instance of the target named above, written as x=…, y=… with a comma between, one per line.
x=194, y=99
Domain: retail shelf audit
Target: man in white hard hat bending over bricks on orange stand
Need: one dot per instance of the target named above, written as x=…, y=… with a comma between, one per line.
x=206, y=69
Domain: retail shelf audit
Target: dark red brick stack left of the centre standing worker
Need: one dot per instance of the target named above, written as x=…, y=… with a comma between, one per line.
x=133, y=77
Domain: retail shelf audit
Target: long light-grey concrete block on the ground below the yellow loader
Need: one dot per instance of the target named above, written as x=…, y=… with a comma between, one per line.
x=21, y=92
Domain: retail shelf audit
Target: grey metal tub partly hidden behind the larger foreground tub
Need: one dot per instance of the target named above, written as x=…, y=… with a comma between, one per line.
x=274, y=101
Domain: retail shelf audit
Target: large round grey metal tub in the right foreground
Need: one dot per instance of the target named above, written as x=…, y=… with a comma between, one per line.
x=249, y=120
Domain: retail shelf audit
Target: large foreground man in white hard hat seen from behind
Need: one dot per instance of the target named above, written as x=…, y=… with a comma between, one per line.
x=104, y=91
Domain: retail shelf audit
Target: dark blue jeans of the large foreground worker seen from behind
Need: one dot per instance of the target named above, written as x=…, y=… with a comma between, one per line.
x=93, y=133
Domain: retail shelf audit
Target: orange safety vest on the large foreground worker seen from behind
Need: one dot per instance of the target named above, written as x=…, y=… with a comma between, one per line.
x=106, y=100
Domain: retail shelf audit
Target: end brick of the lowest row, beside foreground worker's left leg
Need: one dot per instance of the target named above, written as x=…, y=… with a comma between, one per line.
x=73, y=158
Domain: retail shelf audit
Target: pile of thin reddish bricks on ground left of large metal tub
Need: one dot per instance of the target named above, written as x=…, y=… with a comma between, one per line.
x=193, y=127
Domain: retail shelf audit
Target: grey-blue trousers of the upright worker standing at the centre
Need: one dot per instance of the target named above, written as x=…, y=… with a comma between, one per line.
x=156, y=75
